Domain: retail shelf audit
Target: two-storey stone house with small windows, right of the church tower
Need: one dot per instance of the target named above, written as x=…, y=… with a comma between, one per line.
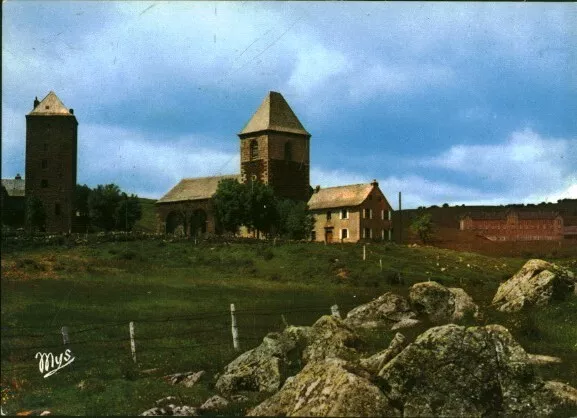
x=352, y=213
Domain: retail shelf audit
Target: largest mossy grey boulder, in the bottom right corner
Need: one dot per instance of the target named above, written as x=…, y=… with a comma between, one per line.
x=451, y=370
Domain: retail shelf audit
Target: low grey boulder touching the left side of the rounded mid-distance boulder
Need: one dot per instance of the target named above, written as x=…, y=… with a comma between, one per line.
x=387, y=310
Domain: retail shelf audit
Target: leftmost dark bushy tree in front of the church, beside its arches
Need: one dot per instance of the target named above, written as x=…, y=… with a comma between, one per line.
x=230, y=204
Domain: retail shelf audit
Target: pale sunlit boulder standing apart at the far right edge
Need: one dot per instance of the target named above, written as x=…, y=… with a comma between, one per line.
x=536, y=284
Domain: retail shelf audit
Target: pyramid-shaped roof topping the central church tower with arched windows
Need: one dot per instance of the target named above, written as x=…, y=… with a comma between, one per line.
x=274, y=114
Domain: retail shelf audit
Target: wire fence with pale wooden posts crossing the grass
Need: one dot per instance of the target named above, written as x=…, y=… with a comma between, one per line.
x=93, y=342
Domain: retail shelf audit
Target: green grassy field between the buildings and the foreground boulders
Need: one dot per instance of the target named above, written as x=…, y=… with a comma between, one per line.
x=179, y=294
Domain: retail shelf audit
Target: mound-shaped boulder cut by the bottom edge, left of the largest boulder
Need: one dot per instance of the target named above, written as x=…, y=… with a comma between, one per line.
x=330, y=387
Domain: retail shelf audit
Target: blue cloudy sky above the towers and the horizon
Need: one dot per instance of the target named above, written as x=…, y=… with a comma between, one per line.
x=459, y=103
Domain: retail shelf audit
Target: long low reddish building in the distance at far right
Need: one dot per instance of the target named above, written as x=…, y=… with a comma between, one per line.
x=514, y=225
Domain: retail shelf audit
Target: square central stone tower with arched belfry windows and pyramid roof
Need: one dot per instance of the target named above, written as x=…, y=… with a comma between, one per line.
x=274, y=149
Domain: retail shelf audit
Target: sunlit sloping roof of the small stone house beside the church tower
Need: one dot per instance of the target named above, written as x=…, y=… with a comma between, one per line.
x=340, y=196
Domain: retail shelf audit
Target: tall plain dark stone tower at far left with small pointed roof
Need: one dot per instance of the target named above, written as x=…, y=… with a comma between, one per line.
x=51, y=159
